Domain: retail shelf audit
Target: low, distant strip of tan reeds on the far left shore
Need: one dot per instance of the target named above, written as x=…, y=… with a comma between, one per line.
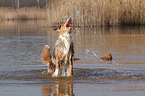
x=24, y=13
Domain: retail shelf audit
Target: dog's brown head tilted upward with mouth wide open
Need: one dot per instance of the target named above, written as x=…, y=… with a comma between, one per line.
x=65, y=27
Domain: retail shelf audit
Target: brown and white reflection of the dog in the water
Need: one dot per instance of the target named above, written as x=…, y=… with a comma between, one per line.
x=60, y=88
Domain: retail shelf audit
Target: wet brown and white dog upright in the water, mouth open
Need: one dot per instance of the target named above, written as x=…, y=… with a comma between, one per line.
x=61, y=63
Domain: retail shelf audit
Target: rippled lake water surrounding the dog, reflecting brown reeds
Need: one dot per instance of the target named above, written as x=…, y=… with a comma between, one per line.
x=23, y=74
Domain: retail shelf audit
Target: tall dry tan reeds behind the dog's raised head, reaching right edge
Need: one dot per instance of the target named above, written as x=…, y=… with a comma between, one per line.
x=97, y=12
